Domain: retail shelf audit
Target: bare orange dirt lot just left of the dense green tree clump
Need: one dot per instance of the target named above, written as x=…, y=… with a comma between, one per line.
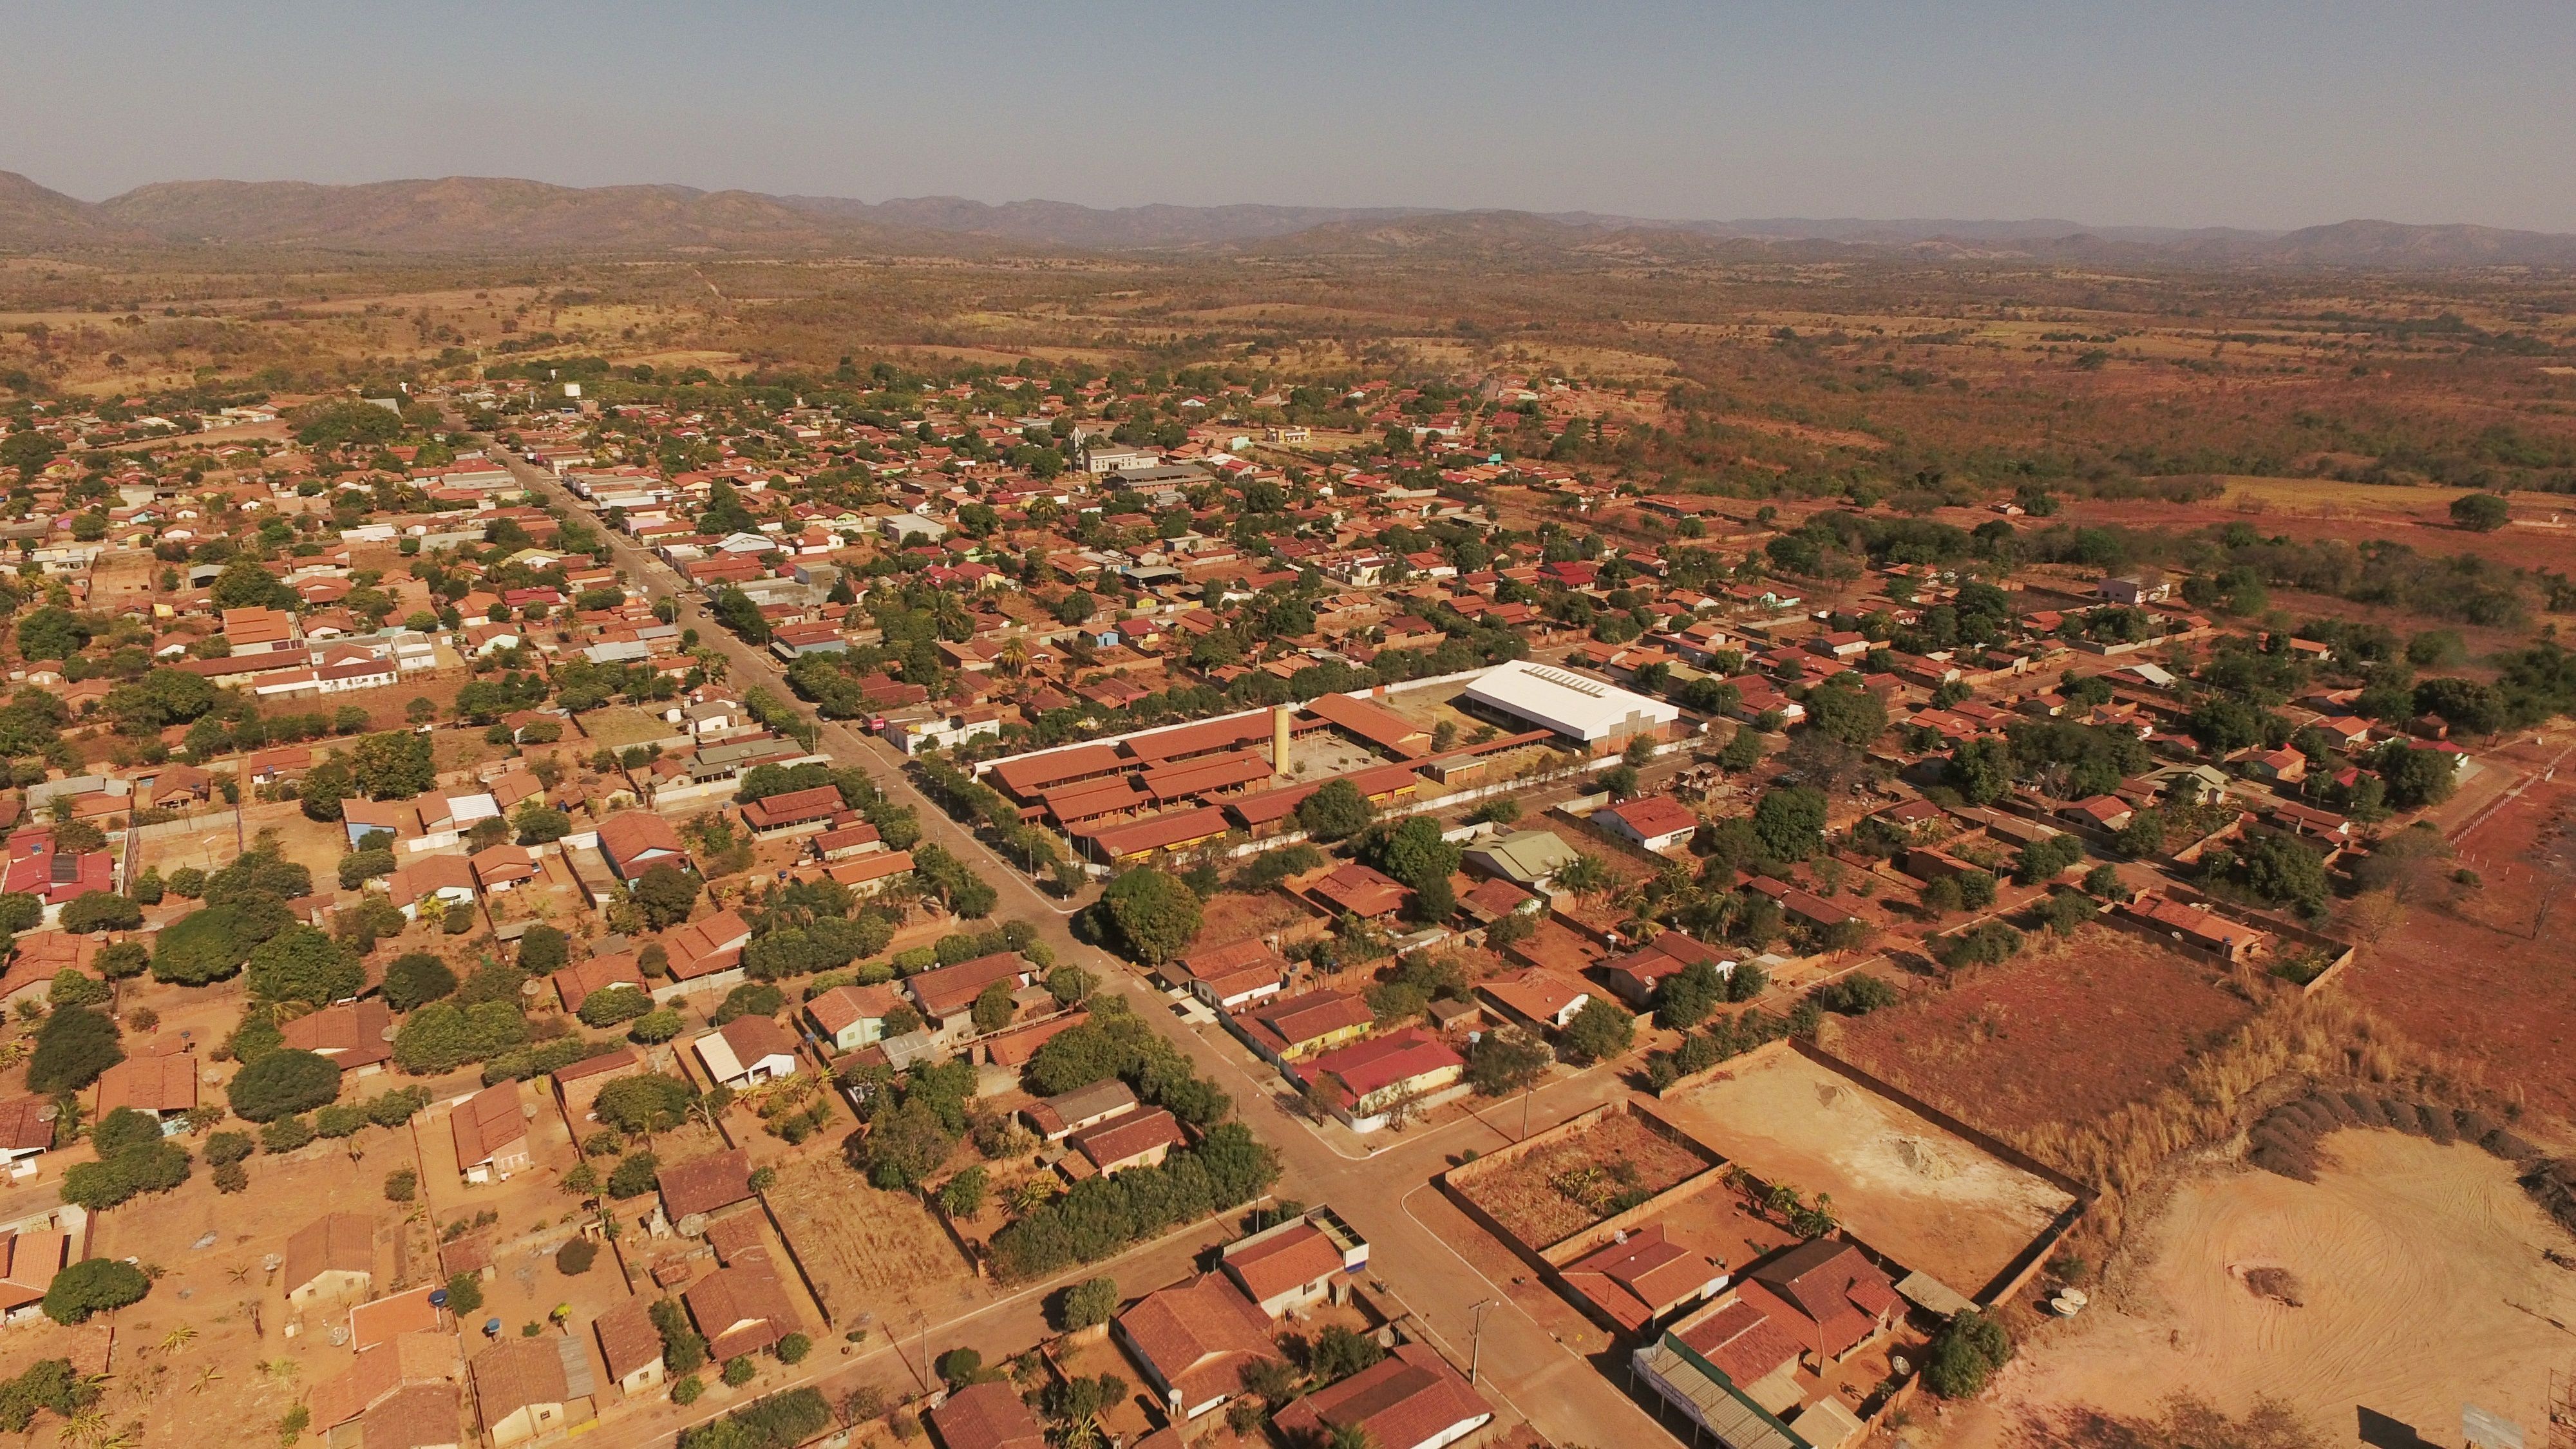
x=869, y=1252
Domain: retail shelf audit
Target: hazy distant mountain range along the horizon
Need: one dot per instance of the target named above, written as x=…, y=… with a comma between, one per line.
x=468, y=215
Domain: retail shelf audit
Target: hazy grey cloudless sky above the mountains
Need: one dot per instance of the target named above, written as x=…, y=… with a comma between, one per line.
x=2111, y=112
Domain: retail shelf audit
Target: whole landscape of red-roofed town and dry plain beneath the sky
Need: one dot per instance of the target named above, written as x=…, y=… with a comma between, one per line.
x=1070, y=850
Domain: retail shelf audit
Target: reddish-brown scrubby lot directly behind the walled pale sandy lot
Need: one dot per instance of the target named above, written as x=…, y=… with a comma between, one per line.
x=2062, y=1033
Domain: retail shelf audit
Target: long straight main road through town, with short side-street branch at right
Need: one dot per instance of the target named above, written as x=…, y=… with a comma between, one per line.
x=1521, y=1363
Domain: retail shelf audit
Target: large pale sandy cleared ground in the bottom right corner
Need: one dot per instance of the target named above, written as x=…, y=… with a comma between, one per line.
x=2418, y=1275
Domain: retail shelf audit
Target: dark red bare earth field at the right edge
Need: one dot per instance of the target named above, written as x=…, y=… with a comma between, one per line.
x=2492, y=981
